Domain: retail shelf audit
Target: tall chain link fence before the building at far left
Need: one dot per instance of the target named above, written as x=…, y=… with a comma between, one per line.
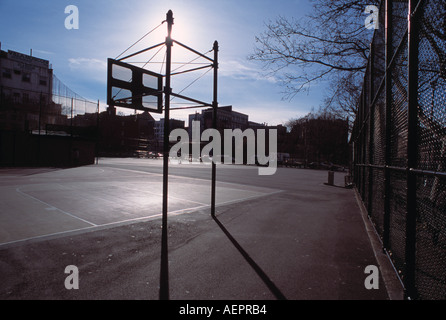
x=51, y=127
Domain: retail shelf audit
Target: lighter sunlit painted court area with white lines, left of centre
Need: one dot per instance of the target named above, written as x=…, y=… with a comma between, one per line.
x=47, y=202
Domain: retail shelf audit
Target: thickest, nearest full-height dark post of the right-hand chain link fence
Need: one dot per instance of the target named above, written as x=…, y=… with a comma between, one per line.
x=413, y=27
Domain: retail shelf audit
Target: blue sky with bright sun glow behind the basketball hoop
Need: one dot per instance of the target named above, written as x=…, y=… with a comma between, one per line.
x=106, y=28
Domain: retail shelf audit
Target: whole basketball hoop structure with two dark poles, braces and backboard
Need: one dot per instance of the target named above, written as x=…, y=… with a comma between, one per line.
x=139, y=90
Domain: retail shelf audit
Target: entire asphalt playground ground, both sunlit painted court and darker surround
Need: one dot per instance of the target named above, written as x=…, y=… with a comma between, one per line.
x=291, y=229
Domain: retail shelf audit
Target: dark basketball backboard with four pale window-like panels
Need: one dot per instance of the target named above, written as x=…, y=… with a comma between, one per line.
x=131, y=87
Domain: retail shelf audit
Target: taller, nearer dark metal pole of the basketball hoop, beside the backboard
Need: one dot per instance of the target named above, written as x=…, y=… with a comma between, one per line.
x=164, y=273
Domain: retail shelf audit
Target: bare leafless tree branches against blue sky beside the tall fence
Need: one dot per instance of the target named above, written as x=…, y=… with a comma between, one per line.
x=332, y=43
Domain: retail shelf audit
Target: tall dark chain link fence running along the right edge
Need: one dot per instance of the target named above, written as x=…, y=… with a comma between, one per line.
x=399, y=142
